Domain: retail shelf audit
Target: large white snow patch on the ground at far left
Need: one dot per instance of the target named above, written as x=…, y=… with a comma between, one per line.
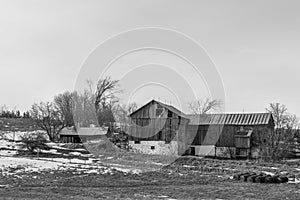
x=12, y=164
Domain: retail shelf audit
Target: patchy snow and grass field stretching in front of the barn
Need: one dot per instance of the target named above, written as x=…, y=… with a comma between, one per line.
x=71, y=172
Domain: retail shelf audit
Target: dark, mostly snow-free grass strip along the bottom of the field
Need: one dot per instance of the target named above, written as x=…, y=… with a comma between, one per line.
x=149, y=185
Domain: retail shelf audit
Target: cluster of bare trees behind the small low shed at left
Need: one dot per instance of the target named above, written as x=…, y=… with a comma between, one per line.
x=100, y=107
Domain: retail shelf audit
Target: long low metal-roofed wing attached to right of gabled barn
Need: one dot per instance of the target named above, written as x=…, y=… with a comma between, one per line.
x=225, y=133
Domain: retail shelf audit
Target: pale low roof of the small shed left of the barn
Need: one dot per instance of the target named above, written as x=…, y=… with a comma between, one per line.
x=84, y=131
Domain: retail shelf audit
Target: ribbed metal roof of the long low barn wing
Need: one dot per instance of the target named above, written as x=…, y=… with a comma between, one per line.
x=231, y=119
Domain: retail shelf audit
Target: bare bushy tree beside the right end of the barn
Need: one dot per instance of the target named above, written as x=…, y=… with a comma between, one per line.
x=281, y=141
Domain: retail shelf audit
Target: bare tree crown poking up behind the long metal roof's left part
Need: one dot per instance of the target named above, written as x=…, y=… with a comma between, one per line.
x=204, y=106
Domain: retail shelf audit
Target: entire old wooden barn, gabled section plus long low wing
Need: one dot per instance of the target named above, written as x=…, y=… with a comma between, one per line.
x=158, y=128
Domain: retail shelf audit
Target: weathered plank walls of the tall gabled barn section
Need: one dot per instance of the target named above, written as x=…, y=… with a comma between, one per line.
x=163, y=125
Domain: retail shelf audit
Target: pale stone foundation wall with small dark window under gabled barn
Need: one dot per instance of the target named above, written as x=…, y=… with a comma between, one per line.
x=155, y=147
